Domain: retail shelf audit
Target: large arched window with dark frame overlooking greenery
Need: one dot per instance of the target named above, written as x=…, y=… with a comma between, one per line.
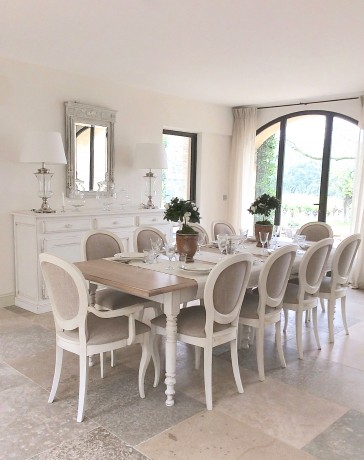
x=307, y=159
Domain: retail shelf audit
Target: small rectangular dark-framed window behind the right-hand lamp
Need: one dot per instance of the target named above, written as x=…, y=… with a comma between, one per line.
x=180, y=177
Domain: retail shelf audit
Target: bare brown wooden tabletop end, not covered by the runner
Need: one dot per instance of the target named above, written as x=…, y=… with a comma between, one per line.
x=132, y=279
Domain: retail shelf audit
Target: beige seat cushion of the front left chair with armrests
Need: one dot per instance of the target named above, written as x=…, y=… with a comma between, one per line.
x=104, y=330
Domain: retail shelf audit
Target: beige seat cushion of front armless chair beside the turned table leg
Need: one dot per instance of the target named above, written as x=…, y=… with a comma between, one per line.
x=191, y=321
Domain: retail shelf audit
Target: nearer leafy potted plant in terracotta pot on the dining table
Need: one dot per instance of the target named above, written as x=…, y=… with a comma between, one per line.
x=184, y=211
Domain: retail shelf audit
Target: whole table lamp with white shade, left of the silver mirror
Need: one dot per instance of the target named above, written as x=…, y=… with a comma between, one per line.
x=43, y=147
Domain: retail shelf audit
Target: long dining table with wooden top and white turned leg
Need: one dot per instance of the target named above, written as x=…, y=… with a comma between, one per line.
x=171, y=288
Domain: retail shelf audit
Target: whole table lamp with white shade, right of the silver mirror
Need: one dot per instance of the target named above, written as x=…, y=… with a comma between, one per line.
x=150, y=156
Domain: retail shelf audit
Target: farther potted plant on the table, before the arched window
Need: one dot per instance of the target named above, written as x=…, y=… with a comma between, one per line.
x=263, y=206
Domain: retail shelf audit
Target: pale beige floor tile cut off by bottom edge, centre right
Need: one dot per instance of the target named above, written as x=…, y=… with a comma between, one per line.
x=212, y=435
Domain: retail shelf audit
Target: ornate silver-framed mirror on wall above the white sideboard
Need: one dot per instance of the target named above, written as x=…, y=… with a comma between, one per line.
x=90, y=146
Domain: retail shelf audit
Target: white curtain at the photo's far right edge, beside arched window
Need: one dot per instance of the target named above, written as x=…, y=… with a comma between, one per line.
x=358, y=205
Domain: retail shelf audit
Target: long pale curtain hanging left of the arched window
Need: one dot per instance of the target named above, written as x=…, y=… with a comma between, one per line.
x=242, y=167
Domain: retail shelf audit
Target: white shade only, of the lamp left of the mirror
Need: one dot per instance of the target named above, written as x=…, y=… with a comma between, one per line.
x=43, y=147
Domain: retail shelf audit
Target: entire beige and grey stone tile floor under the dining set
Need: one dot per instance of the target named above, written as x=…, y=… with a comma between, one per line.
x=313, y=408
